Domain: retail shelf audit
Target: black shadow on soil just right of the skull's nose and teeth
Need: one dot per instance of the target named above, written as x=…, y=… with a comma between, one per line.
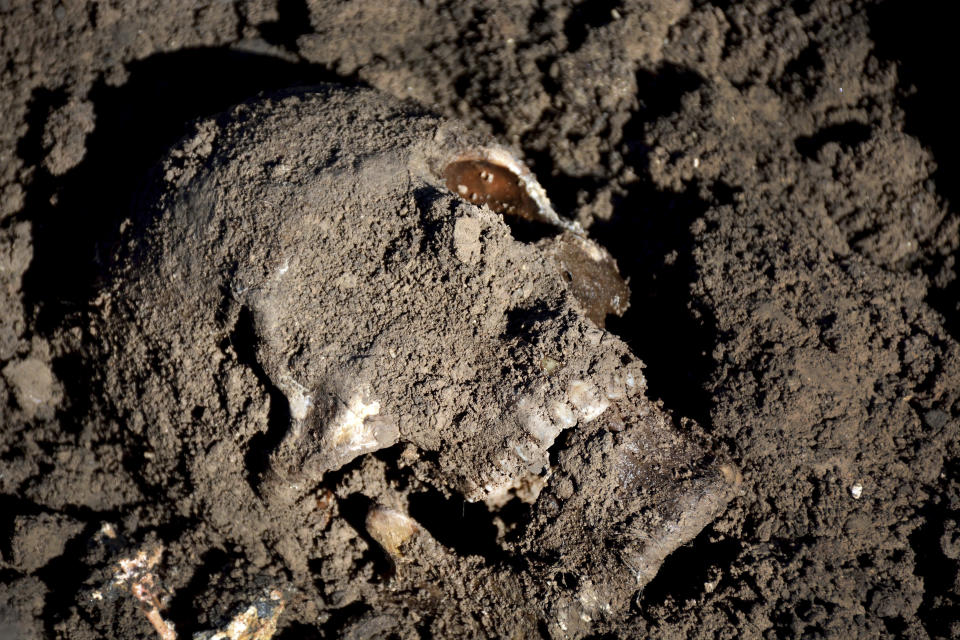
x=649, y=235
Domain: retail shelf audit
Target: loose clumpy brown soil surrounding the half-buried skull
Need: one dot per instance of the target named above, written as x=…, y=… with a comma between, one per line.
x=774, y=178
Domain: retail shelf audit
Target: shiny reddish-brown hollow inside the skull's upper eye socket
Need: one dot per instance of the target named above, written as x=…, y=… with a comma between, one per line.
x=484, y=182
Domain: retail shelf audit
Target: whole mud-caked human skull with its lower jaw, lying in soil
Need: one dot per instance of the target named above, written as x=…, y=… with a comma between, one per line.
x=329, y=273
